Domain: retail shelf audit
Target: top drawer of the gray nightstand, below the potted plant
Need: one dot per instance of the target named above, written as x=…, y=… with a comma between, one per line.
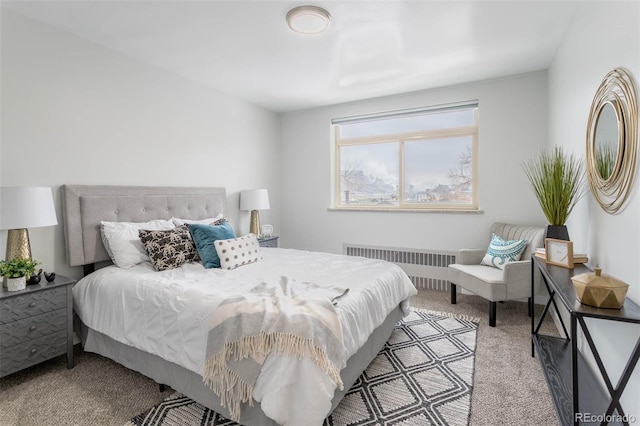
x=30, y=304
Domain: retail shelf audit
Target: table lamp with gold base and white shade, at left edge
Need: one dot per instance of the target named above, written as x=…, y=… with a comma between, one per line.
x=22, y=208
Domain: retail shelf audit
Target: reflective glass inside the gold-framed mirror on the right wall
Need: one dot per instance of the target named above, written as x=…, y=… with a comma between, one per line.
x=607, y=142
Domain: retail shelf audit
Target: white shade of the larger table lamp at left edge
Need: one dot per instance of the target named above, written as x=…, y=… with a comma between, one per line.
x=26, y=207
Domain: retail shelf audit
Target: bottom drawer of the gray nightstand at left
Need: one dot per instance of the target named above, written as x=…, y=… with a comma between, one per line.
x=32, y=352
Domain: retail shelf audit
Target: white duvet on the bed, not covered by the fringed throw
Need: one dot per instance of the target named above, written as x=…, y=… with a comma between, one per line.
x=168, y=314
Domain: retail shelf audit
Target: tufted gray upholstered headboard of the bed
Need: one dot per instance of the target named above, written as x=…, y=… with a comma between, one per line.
x=84, y=206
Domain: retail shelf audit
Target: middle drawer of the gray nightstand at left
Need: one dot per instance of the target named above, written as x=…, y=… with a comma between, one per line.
x=23, y=330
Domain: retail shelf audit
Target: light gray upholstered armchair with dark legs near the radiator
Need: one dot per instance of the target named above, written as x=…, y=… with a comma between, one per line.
x=494, y=284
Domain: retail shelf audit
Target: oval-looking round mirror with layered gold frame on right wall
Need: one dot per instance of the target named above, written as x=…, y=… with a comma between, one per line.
x=612, y=140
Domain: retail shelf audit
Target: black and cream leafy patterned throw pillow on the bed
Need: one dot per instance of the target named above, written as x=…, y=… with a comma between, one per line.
x=169, y=249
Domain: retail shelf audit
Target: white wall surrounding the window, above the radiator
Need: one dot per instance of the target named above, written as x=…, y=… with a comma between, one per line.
x=512, y=129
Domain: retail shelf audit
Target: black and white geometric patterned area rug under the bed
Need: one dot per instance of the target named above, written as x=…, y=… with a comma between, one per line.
x=423, y=376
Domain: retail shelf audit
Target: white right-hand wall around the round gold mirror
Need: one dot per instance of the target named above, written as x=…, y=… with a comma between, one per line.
x=603, y=36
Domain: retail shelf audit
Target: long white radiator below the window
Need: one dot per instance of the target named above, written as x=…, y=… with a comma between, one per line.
x=426, y=268
